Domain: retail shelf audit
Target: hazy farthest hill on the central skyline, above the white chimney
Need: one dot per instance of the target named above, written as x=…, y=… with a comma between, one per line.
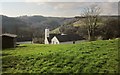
x=43, y=22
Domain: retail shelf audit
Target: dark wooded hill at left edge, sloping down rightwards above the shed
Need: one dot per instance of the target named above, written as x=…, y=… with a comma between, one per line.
x=10, y=24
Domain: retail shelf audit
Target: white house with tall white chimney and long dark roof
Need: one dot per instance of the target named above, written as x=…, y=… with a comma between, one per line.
x=61, y=38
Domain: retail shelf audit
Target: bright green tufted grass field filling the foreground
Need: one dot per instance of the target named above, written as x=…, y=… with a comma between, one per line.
x=87, y=57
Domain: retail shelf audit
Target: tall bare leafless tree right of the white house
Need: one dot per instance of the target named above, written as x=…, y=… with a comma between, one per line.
x=91, y=15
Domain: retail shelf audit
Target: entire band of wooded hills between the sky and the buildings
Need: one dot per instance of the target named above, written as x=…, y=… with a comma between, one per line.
x=33, y=26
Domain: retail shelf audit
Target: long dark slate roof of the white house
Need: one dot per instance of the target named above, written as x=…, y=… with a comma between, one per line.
x=65, y=38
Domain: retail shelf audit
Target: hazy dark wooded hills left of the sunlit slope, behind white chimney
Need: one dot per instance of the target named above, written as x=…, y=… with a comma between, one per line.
x=24, y=25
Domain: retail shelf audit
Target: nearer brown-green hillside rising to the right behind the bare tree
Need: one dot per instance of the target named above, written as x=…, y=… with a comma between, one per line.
x=108, y=27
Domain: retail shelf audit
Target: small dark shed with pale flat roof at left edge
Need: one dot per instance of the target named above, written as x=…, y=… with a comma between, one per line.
x=8, y=40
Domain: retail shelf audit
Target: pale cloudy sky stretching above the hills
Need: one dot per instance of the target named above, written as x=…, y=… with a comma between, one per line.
x=63, y=9
